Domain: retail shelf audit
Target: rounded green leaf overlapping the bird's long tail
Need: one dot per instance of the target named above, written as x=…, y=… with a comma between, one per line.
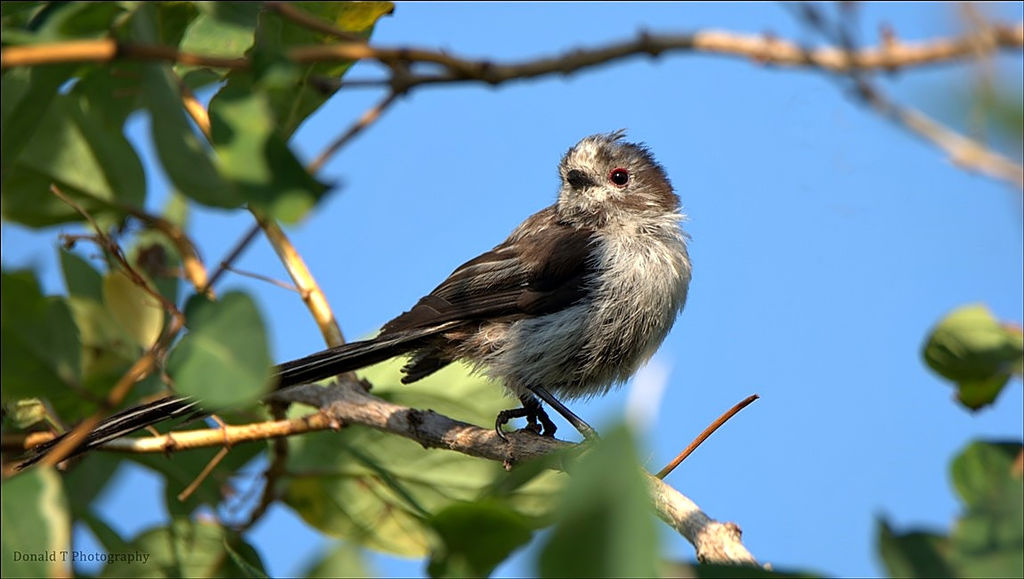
x=224, y=360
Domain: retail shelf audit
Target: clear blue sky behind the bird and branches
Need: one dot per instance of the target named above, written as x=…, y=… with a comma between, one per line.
x=826, y=243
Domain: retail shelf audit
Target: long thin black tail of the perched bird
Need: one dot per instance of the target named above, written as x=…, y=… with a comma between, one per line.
x=316, y=367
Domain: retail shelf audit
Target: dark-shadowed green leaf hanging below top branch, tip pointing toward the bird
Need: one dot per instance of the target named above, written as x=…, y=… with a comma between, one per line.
x=253, y=155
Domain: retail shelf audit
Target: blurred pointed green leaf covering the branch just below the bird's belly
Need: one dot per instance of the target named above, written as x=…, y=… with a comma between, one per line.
x=606, y=526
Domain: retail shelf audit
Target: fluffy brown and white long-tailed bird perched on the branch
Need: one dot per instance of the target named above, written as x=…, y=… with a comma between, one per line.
x=571, y=305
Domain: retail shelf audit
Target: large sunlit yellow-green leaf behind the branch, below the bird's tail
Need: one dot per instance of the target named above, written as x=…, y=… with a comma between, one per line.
x=377, y=490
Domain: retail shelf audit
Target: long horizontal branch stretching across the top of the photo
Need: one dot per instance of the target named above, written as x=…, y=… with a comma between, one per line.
x=761, y=49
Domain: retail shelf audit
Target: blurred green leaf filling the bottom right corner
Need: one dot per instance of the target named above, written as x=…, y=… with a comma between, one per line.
x=989, y=540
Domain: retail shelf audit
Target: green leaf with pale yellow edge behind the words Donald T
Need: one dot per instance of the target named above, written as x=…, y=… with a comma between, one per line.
x=36, y=526
